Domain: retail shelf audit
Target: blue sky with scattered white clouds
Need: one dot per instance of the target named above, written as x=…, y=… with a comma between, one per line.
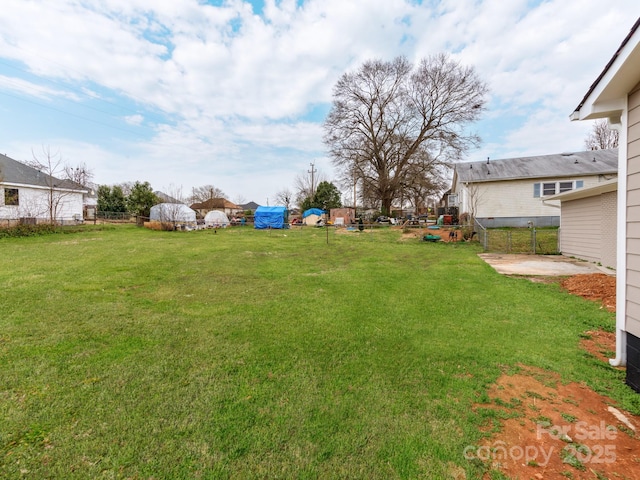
x=183, y=93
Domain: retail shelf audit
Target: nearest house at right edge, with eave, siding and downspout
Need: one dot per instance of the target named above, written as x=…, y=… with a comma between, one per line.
x=615, y=95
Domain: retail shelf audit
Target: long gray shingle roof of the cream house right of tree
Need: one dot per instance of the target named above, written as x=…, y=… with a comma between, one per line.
x=591, y=162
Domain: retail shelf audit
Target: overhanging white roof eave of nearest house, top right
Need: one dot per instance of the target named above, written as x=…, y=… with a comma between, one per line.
x=612, y=83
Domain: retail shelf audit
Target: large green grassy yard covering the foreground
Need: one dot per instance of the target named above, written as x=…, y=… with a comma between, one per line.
x=128, y=353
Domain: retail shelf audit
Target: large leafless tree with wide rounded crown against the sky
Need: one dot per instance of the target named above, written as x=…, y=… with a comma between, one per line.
x=387, y=116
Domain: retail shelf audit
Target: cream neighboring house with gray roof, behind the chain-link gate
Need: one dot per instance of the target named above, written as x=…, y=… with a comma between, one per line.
x=509, y=192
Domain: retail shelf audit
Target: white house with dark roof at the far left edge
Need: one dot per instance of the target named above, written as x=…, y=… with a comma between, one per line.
x=27, y=193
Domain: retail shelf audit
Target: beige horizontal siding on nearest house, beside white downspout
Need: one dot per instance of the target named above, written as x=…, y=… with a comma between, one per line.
x=633, y=214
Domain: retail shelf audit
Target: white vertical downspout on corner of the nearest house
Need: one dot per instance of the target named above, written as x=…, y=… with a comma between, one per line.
x=619, y=124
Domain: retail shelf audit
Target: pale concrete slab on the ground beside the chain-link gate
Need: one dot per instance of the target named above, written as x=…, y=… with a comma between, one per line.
x=544, y=265
